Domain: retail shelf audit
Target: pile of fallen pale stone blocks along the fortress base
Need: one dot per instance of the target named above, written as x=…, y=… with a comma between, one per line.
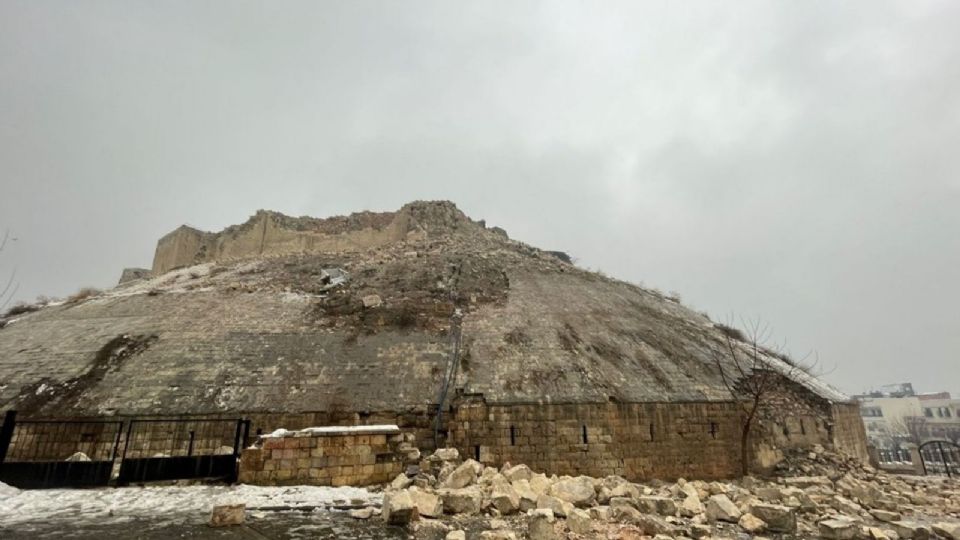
x=817, y=494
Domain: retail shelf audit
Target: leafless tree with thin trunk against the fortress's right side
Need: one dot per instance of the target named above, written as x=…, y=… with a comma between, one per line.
x=752, y=369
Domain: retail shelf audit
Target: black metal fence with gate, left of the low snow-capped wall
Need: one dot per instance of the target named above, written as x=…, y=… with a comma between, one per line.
x=84, y=453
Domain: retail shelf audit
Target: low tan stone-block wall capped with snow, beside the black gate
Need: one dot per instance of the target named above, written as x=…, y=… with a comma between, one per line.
x=328, y=457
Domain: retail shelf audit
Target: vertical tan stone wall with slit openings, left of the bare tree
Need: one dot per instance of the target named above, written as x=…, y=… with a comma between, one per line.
x=634, y=440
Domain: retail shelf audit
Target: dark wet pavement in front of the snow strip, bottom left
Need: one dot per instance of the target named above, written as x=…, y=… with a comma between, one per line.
x=286, y=525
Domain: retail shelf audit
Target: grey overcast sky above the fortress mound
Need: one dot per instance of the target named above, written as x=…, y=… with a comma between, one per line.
x=797, y=162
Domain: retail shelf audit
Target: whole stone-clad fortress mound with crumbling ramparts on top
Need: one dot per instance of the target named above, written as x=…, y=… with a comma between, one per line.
x=563, y=369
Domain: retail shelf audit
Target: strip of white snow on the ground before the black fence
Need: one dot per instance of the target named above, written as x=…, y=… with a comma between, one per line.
x=177, y=503
